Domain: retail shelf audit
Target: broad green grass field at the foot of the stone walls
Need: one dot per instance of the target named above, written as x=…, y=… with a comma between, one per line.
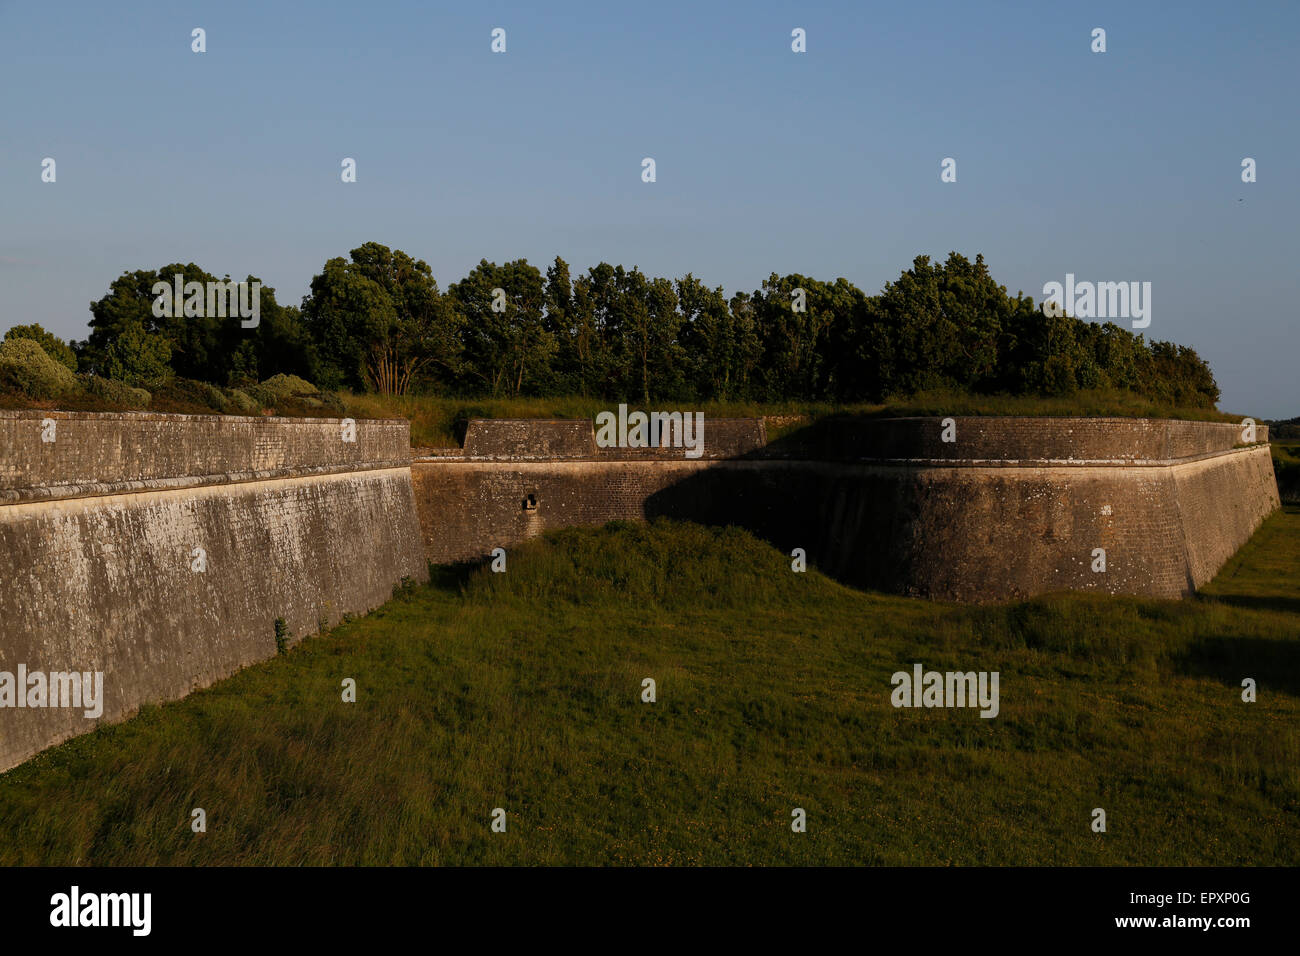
x=522, y=691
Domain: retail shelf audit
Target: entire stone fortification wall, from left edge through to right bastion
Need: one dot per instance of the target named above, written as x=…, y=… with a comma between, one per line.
x=162, y=551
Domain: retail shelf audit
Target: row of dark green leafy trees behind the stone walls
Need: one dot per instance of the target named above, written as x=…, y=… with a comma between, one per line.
x=379, y=322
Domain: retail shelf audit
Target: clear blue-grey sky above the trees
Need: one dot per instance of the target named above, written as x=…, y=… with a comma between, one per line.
x=1115, y=167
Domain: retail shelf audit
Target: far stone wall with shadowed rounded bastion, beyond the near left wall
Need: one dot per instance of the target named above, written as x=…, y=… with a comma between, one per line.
x=896, y=511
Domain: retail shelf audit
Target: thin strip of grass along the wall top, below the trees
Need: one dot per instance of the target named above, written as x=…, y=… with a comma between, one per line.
x=434, y=417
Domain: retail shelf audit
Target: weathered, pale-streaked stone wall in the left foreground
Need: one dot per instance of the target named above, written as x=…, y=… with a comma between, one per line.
x=102, y=581
